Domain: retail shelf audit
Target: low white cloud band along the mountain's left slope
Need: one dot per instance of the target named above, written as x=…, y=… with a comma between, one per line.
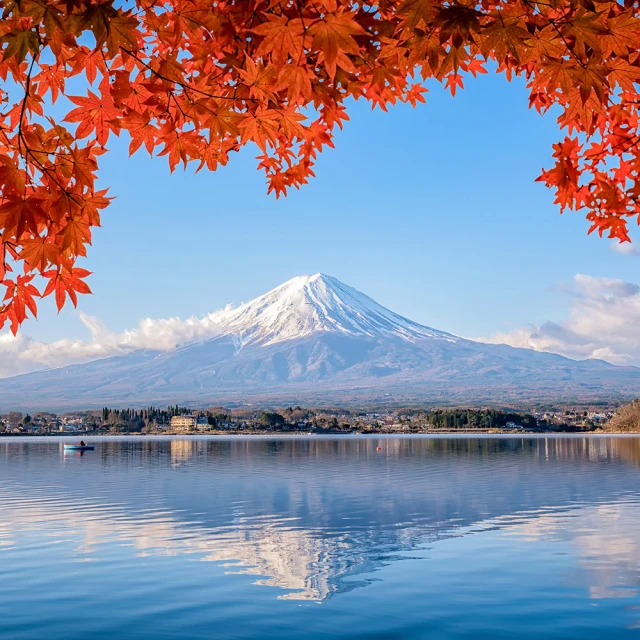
x=22, y=354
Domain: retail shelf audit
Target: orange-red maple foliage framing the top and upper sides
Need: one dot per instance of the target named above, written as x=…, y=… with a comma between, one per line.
x=195, y=80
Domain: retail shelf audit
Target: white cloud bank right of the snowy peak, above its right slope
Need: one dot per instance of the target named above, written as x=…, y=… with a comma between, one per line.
x=604, y=323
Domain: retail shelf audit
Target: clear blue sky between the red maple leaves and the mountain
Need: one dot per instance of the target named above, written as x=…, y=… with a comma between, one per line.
x=434, y=212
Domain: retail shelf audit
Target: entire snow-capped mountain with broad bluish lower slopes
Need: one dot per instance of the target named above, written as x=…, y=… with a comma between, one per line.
x=315, y=339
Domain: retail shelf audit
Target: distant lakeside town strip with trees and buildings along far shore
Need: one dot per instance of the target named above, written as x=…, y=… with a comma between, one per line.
x=220, y=420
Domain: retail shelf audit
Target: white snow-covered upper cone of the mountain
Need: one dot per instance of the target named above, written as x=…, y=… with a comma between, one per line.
x=319, y=303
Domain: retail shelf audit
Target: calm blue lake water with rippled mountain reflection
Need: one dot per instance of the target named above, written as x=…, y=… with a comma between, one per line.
x=321, y=538
